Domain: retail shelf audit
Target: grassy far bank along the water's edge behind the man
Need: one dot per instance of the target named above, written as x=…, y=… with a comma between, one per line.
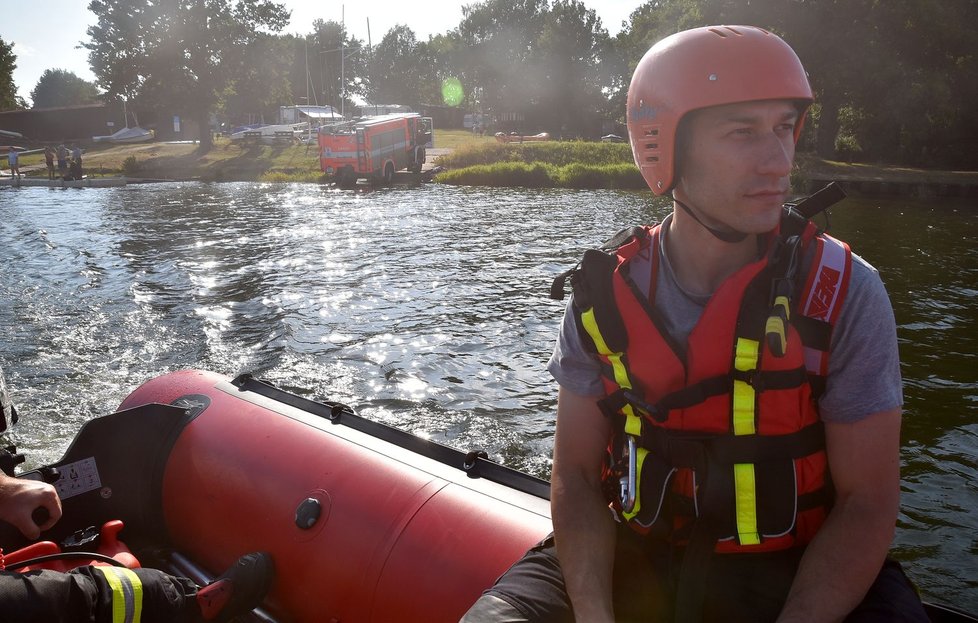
x=467, y=159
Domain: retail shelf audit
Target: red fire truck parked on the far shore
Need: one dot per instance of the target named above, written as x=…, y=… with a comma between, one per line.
x=373, y=147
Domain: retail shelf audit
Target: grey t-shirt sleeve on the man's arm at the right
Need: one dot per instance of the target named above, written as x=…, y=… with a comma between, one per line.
x=864, y=365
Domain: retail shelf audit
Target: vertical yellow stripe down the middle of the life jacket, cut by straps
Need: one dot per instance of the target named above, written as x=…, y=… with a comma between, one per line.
x=746, y=359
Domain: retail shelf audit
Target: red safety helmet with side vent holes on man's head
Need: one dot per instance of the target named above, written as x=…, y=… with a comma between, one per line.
x=703, y=67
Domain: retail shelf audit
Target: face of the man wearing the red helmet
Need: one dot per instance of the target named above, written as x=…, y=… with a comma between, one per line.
x=736, y=163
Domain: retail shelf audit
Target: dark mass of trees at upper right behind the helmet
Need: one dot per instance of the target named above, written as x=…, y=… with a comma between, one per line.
x=893, y=80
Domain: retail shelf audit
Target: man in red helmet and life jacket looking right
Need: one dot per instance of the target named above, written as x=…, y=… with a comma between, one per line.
x=729, y=380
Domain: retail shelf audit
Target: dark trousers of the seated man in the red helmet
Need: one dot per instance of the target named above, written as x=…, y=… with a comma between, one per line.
x=740, y=588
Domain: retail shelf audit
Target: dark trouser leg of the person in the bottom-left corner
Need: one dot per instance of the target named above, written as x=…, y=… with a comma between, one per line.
x=84, y=596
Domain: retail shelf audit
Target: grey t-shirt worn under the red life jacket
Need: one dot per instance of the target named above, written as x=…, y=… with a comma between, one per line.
x=864, y=365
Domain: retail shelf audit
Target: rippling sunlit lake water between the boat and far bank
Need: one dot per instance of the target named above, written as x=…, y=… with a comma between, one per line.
x=427, y=309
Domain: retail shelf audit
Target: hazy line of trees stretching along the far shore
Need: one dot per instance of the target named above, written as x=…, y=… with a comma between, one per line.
x=895, y=81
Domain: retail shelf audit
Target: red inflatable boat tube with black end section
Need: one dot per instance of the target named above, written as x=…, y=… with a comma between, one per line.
x=365, y=522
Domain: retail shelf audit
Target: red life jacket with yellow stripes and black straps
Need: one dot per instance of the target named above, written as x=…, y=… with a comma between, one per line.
x=727, y=436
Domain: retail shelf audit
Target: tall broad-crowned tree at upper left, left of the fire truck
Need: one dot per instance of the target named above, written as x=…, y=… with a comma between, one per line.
x=180, y=52
